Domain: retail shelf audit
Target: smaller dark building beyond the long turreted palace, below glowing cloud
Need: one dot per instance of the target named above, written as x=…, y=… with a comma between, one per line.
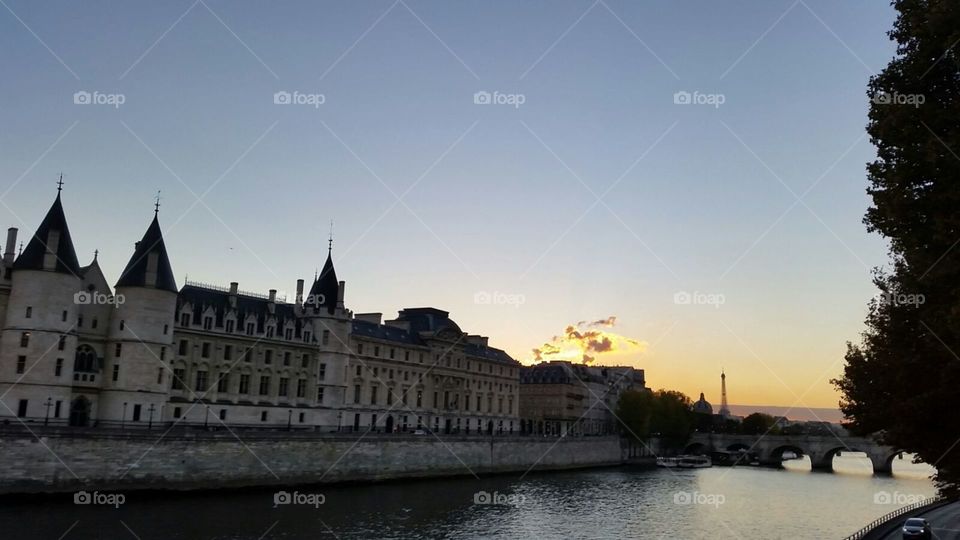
x=563, y=398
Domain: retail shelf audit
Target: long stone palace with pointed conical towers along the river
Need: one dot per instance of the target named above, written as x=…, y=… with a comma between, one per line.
x=74, y=352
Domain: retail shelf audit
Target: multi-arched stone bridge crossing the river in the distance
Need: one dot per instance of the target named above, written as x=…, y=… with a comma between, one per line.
x=821, y=449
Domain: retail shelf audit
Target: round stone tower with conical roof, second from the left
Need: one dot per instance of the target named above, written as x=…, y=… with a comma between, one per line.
x=137, y=373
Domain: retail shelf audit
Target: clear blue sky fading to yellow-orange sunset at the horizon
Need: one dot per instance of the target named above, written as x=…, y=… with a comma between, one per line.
x=693, y=169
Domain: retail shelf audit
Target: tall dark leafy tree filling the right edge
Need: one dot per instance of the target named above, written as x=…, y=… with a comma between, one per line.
x=900, y=380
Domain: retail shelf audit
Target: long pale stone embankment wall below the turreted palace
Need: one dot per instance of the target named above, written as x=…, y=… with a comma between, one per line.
x=62, y=460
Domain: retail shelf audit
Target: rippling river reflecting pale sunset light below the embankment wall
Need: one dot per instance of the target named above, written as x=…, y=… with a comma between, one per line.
x=742, y=502
